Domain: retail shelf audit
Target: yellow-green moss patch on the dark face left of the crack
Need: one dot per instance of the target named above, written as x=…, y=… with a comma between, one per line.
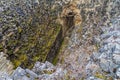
x=36, y=47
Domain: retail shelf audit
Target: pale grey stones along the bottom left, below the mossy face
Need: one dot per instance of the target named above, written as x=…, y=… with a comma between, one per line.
x=41, y=71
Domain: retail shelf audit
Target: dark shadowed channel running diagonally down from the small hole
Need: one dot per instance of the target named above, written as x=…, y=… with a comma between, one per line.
x=54, y=51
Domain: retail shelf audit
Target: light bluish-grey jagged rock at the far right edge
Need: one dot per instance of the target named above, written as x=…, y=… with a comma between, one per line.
x=109, y=52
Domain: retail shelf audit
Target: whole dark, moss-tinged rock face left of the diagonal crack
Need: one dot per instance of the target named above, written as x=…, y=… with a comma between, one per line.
x=28, y=30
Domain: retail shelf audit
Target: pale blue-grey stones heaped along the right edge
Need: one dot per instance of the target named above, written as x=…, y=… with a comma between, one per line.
x=107, y=60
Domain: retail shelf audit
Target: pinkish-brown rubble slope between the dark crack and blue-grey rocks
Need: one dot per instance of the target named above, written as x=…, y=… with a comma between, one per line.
x=97, y=16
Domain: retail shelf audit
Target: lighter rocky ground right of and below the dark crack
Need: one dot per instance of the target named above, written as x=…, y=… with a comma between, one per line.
x=92, y=52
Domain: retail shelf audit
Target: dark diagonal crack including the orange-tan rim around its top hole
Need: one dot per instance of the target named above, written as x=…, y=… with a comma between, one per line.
x=69, y=19
